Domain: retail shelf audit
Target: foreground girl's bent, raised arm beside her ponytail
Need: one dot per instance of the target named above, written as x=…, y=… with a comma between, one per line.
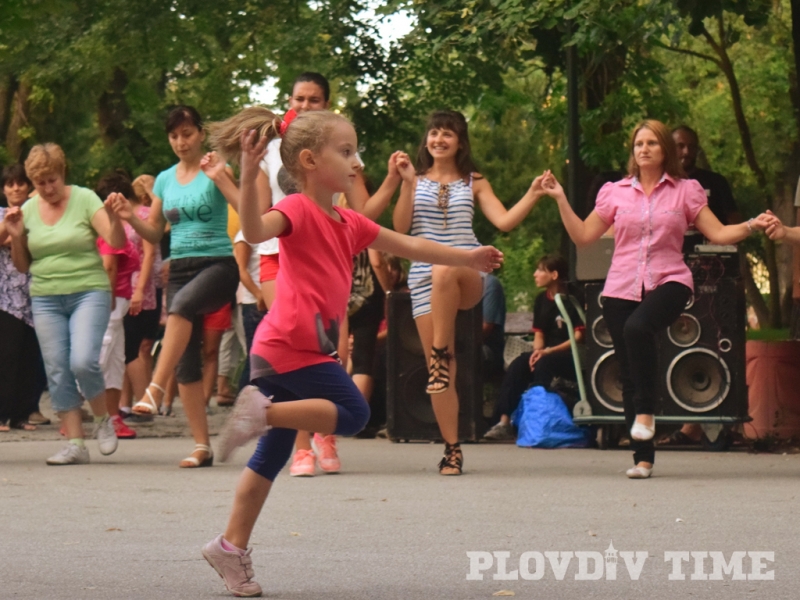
x=255, y=226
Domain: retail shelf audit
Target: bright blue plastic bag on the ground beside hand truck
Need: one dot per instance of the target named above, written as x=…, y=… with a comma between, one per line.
x=543, y=421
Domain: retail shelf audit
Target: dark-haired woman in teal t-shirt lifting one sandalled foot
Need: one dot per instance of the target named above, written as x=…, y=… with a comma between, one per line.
x=203, y=275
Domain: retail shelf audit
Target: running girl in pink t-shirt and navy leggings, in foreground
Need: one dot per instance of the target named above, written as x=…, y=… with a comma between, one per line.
x=294, y=363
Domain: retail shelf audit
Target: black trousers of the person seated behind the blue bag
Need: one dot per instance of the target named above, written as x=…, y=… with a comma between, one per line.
x=519, y=378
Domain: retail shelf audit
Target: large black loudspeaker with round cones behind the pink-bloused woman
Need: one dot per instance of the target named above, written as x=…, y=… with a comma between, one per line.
x=701, y=357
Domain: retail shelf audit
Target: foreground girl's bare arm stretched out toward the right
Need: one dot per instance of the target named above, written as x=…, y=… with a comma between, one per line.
x=483, y=258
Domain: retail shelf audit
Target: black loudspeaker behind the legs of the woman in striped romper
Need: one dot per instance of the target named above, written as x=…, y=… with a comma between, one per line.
x=409, y=414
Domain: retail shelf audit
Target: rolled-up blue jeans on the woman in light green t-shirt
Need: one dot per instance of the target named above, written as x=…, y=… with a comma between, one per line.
x=70, y=329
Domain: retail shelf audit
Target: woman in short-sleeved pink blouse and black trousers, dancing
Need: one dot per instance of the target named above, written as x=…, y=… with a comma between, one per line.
x=648, y=284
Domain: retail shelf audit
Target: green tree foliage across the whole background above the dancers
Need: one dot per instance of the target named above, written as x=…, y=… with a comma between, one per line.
x=98, y=76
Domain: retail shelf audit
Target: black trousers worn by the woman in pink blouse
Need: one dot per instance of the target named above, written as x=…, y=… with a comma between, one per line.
x=633, y=327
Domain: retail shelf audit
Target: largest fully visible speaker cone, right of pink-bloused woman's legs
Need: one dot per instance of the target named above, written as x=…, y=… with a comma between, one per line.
x=698, y=380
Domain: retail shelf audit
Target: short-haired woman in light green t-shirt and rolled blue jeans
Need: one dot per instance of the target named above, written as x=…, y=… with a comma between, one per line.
x=54, y=236
